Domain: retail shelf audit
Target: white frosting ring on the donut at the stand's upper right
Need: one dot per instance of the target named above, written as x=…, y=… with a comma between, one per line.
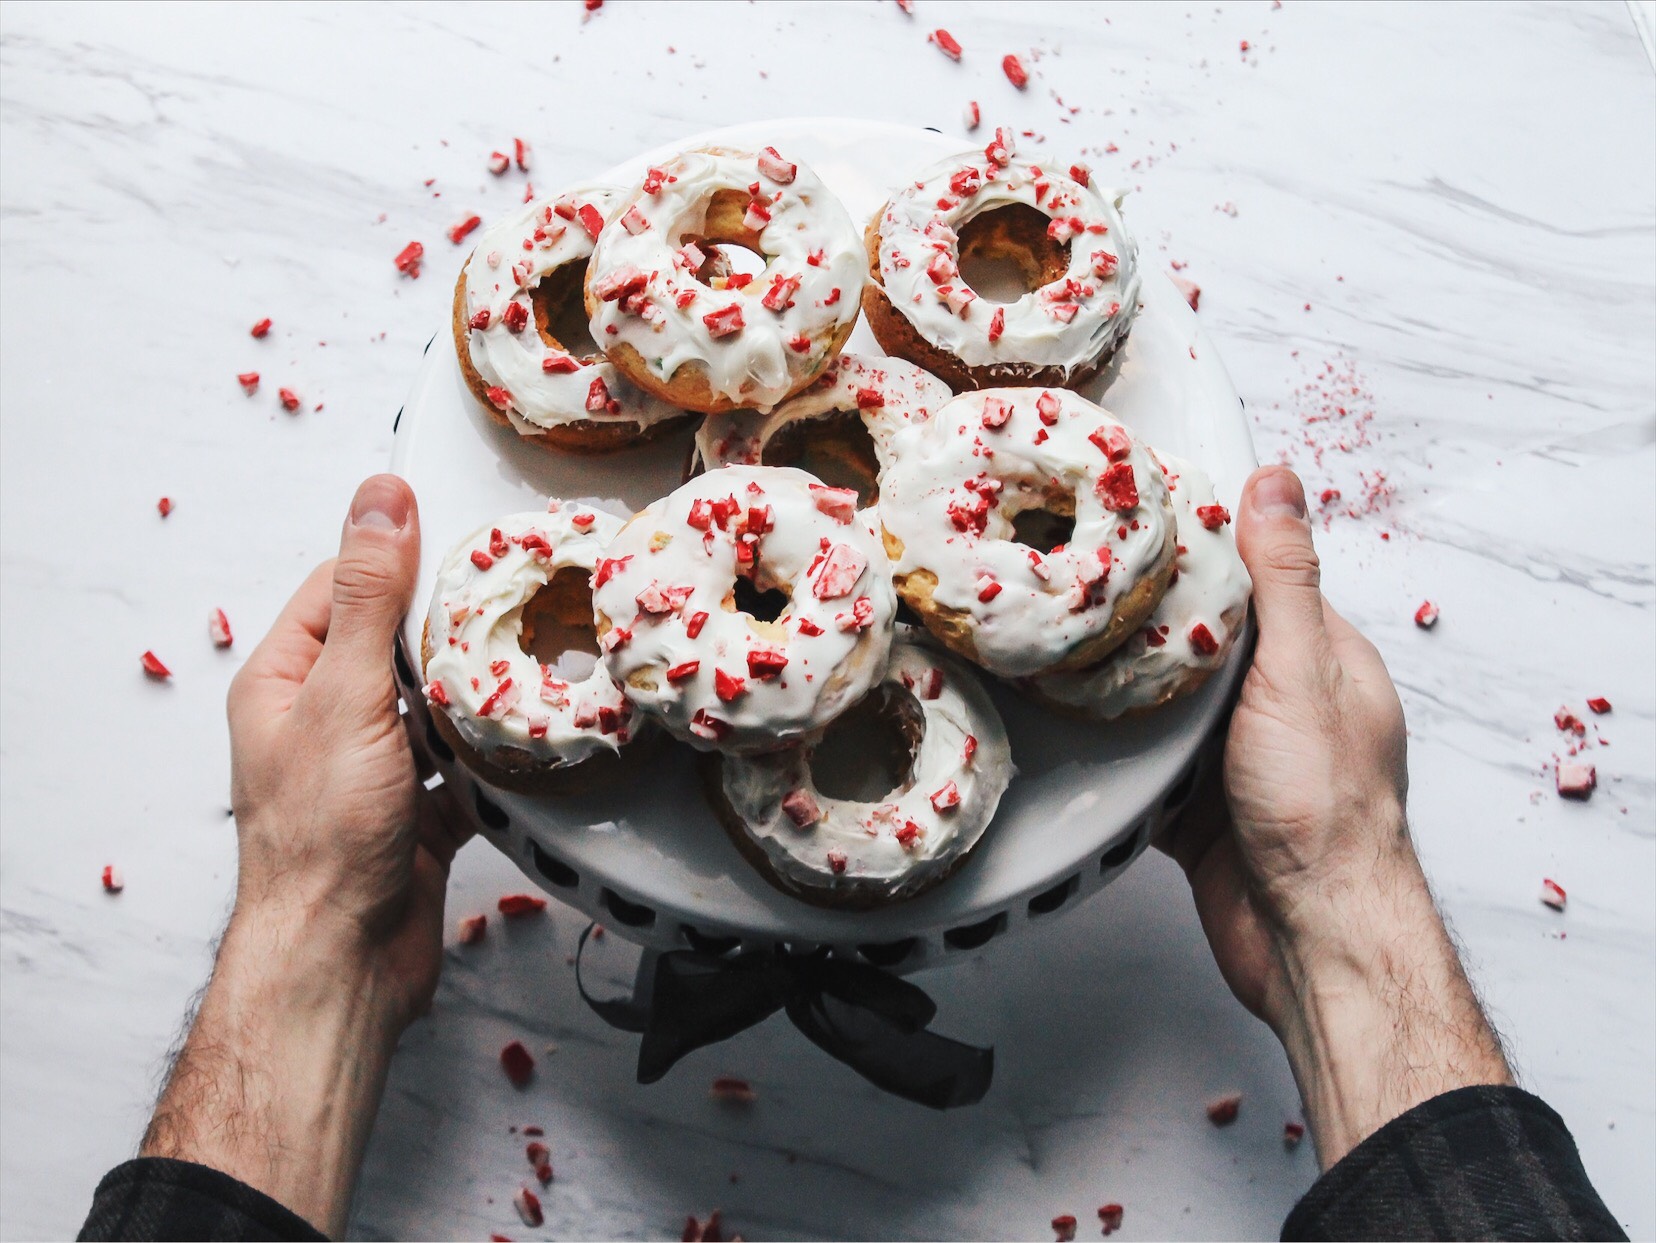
x=1069, y=324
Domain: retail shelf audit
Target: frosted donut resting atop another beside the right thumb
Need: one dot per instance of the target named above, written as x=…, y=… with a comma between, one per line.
x=1003, y=466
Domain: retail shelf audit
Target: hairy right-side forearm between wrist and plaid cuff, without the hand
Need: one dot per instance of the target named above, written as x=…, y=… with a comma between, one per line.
x=1377, y=1014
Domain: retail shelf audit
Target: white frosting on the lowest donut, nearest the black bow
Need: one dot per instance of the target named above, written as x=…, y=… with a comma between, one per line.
x=915, y=833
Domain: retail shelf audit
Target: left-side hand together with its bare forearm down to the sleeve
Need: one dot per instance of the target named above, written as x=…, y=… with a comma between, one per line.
x=337, y=933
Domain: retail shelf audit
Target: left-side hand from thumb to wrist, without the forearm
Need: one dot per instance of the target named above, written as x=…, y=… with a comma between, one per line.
x=335, y=830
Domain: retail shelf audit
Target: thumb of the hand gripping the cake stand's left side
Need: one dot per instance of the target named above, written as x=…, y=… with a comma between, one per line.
x=373, y=578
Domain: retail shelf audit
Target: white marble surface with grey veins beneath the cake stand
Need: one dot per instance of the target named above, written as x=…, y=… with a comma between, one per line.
x=1461, y=194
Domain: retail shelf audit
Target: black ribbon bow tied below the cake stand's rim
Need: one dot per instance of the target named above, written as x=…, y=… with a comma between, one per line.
x=865, y=1017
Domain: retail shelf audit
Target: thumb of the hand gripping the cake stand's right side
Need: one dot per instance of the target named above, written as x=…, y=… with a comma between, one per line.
x=1274, y=537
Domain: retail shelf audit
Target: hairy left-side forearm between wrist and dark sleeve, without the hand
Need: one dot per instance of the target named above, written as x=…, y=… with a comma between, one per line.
x=282, y=1070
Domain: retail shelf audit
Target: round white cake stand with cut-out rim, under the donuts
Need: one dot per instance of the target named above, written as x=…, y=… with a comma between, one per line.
x=648, y=860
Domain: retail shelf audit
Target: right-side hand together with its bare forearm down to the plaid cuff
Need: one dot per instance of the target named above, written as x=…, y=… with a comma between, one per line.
x=1302, y=868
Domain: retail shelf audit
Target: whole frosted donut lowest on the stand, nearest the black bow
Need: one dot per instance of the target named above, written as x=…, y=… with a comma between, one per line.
x=917, y=823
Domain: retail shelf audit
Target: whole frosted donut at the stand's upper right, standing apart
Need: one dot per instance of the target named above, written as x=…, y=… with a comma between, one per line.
x=1062, y=231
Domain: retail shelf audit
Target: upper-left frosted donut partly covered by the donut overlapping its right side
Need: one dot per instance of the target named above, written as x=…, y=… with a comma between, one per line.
x=514, y=299
